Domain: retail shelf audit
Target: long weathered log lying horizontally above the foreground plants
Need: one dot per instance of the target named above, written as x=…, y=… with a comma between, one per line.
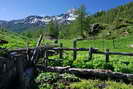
x=92, y=73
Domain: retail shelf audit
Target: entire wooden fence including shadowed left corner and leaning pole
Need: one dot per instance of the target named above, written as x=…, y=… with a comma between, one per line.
x=25, y=57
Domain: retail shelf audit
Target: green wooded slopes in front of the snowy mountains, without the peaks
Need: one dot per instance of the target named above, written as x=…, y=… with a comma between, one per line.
x=114, y=23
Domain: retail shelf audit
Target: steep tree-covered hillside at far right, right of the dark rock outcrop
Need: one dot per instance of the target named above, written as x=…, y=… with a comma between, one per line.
x=118, y=22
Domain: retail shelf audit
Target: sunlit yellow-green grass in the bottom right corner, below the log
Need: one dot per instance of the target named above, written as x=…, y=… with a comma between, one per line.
x=96, y=84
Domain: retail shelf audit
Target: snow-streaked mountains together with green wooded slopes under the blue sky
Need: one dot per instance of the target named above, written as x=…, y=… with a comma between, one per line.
x=116, y=22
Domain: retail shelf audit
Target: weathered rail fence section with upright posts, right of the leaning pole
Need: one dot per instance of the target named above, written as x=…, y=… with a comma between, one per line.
x=61, y=50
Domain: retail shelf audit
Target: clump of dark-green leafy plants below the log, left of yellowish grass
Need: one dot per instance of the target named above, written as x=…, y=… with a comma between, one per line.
x=49, y=80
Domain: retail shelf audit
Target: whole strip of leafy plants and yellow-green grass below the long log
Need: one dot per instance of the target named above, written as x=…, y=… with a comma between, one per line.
x=50, y=80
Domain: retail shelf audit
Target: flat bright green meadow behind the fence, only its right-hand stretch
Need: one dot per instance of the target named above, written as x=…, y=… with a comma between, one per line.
x=120, y=44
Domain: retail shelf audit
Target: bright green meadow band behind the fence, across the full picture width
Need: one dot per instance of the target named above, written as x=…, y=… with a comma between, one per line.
x=19, y=41
